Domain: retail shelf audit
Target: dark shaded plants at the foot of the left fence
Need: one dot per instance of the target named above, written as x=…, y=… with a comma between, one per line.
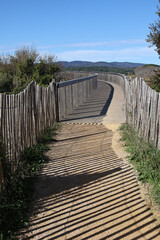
x=15, y=199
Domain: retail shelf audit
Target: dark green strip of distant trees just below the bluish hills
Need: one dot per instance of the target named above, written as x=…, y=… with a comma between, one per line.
x=102, y=69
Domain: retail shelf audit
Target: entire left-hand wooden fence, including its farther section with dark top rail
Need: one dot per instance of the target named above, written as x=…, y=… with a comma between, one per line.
x=24, y=116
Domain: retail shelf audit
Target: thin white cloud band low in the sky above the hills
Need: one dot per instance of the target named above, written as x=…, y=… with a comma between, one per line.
x=129, y=50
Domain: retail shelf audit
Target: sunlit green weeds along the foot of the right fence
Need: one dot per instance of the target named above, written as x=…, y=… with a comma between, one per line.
x=145, y=157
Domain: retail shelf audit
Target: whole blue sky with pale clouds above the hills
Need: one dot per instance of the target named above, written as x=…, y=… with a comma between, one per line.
x=89, y=30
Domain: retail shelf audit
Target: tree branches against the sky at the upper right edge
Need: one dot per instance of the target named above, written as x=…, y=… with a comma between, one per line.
x=154, y=36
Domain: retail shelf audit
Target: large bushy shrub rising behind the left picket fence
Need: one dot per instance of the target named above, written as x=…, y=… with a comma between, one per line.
x=16, y=71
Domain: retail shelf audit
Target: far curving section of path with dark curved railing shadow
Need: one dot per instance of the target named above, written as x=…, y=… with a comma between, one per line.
x=104, y=105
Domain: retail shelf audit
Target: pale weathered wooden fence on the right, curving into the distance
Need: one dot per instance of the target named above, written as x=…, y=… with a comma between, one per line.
x=142, y=104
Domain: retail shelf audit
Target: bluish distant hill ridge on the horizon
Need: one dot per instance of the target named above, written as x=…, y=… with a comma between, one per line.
x=100, y=64
